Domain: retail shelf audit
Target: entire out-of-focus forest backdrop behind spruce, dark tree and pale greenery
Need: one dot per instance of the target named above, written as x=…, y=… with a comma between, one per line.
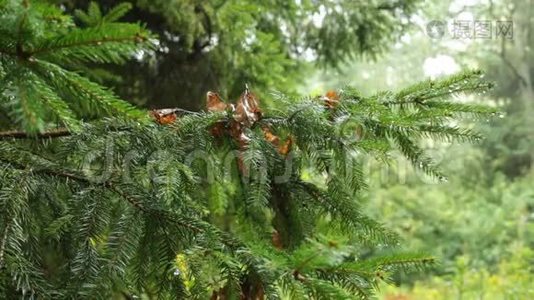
x=480, y=223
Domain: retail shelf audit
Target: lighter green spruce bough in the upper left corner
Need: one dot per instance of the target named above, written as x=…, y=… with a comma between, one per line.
x=42, y=46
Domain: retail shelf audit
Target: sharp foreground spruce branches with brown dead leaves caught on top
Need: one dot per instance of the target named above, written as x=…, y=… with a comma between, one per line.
x=98, y=201
